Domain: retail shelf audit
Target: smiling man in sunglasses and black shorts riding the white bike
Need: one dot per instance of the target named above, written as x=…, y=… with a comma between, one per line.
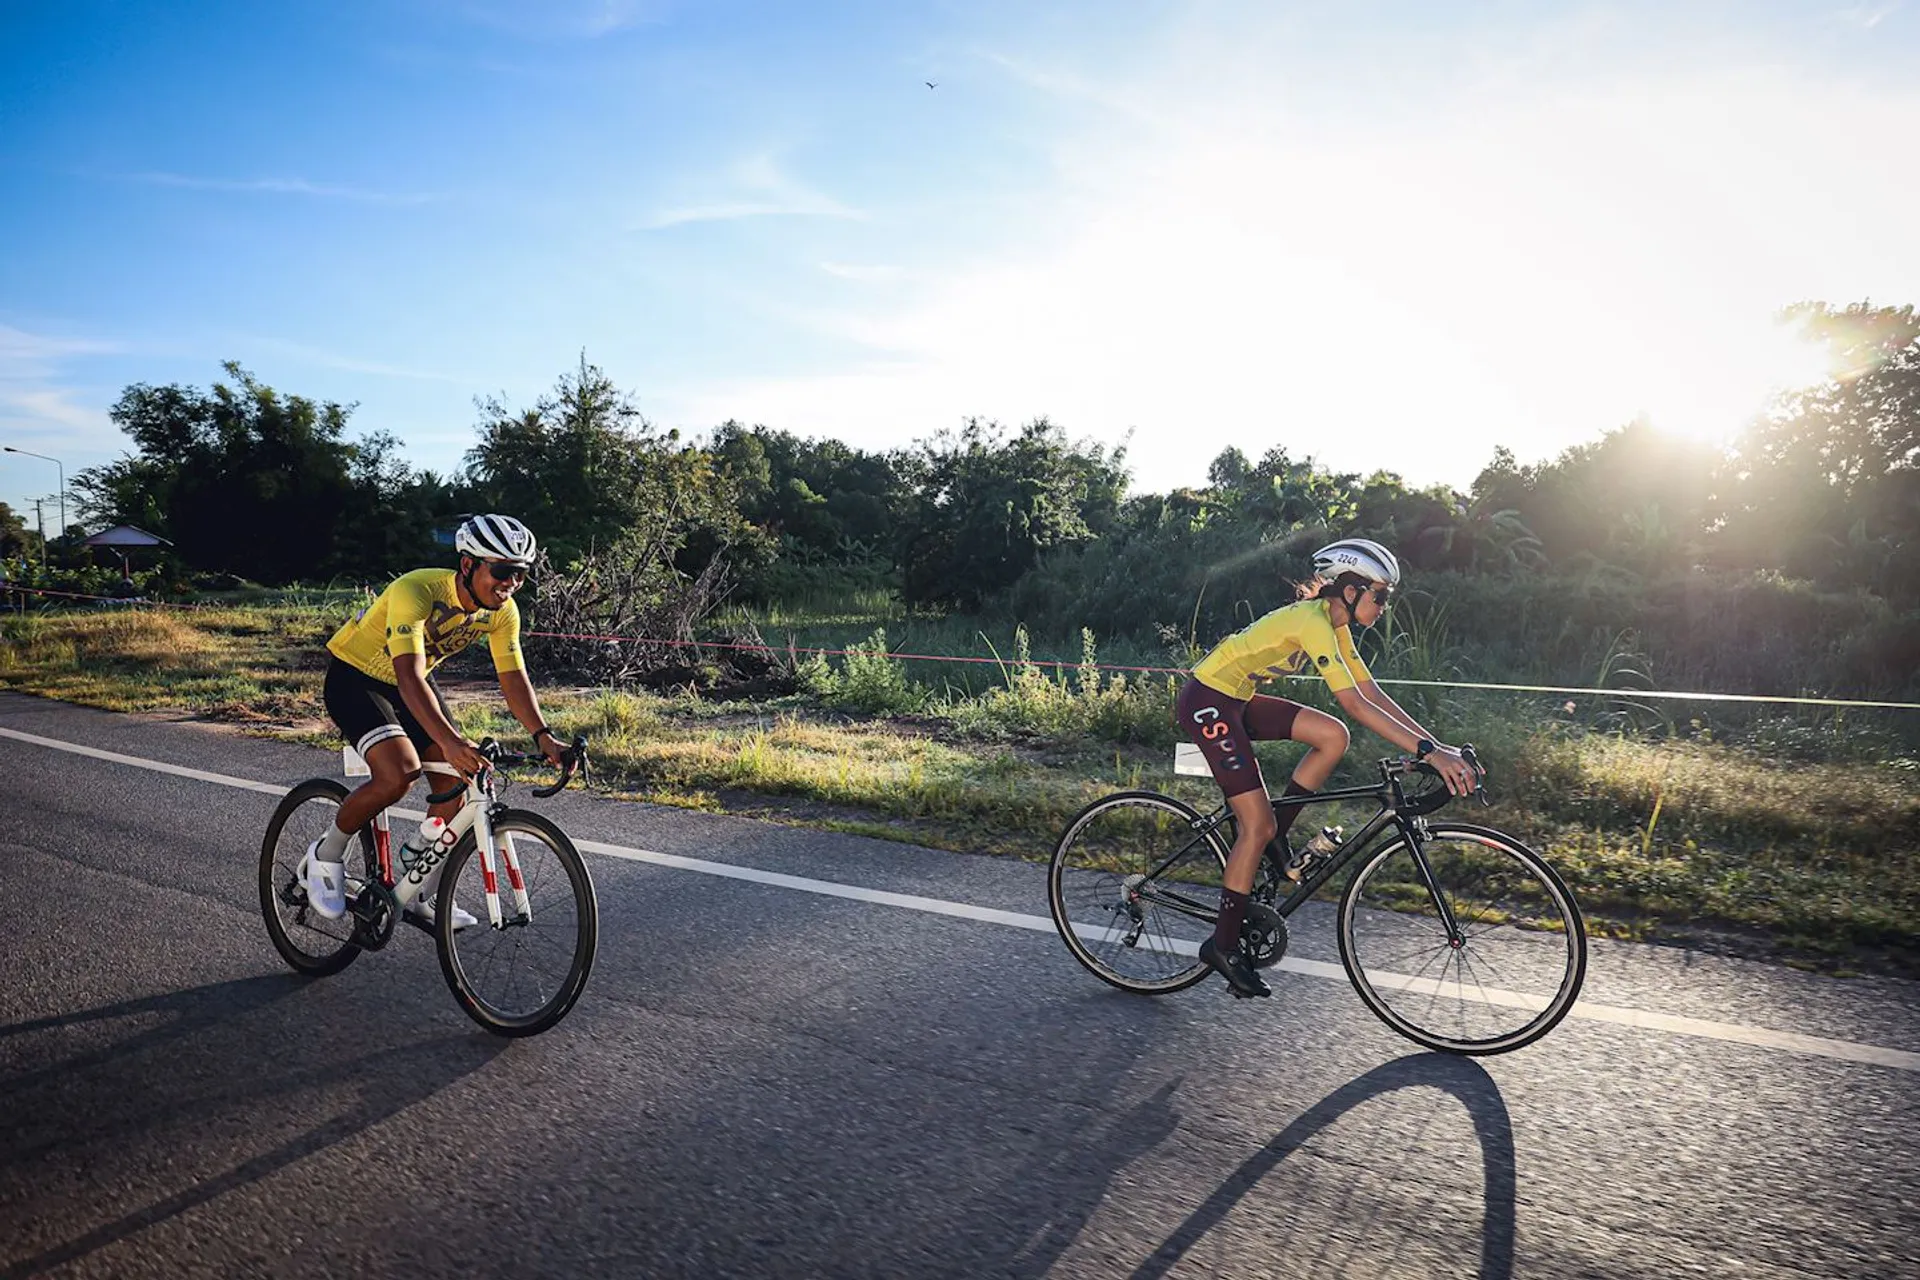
x=381, y=692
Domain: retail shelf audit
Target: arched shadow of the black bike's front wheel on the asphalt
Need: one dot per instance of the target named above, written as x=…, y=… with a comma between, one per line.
x=1462, y=1078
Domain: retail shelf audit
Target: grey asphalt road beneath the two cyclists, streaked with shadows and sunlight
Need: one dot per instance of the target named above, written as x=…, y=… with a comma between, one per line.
x=765, y=1079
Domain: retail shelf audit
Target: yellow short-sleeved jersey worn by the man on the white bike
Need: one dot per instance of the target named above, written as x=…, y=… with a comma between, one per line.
x=421, y=613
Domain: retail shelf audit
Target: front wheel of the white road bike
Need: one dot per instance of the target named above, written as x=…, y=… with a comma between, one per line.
x=523, y=978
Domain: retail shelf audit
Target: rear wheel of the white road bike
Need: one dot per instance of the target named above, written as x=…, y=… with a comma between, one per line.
x=306, y=939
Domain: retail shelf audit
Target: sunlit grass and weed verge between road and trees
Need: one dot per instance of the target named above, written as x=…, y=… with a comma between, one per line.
x=1812, y=861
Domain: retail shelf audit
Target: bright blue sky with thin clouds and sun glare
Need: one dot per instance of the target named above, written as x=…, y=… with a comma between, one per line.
x=1383, y=235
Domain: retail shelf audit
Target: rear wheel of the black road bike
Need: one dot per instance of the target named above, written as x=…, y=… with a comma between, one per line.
x=1134, y=888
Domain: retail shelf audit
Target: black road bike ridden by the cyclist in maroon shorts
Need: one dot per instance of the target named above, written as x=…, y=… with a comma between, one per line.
x=1456, y=936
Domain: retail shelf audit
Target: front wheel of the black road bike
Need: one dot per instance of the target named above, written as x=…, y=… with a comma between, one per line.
x=1508, y=972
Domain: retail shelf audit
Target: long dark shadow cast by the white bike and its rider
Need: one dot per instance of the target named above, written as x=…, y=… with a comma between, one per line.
x=222, y=1056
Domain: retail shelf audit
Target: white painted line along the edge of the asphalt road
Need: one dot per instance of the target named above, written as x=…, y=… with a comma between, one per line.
x=1760, y=1037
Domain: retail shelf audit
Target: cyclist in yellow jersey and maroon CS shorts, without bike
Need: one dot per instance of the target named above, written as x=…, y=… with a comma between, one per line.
x=1224, y=715
